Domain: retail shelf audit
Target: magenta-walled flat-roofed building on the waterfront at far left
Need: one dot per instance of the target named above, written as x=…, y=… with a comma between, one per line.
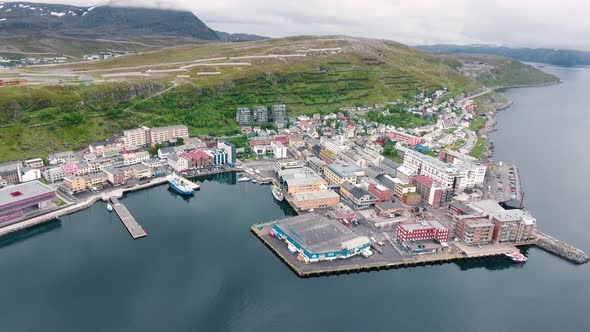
x=15, y=199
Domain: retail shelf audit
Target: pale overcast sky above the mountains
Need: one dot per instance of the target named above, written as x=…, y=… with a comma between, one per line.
x=540, y=23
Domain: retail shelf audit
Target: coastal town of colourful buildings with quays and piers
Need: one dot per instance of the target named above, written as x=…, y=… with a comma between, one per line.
x=368, y=195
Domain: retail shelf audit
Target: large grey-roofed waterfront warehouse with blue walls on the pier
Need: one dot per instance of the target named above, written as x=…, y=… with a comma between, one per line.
x=319, y=238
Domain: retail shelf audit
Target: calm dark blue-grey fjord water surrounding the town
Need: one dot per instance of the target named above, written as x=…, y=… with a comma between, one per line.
x=200, y=269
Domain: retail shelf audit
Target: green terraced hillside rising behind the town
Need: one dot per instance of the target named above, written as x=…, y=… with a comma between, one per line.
x=309, y=74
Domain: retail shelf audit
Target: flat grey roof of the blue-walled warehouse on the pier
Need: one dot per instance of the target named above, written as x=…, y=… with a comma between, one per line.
x=318, y=234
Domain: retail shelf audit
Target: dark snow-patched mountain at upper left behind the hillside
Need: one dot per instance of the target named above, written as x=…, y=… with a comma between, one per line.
x=27, y=18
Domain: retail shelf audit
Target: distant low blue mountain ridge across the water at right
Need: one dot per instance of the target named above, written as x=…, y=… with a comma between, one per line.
x=566, y=58
